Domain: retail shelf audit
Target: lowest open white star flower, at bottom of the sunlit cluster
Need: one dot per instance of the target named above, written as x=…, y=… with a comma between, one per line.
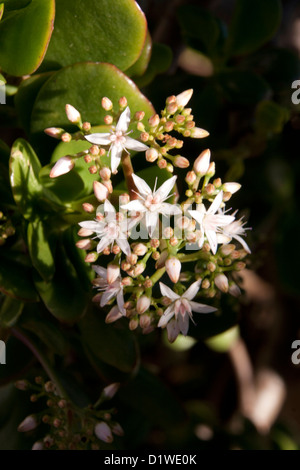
x=181, y=308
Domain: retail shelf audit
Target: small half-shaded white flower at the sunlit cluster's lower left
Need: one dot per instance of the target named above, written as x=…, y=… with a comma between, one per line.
x=110, y=290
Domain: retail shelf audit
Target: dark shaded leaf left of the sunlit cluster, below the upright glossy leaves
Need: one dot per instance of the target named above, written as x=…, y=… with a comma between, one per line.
x=64, y=295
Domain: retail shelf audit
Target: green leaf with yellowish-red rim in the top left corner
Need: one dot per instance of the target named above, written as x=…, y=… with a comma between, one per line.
x=24, y=36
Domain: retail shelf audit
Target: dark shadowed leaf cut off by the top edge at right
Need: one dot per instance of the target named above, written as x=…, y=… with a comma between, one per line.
x=254, y=22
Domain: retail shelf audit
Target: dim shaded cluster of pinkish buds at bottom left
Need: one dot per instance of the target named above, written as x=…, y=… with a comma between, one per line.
x=71, y=427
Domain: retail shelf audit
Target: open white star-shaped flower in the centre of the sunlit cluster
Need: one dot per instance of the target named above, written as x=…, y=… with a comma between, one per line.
x=152, y=203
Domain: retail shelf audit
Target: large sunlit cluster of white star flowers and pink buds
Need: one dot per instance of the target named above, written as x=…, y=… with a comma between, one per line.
x=154, y=234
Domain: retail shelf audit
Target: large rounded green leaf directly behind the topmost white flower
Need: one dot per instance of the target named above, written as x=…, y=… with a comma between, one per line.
x=82, y=85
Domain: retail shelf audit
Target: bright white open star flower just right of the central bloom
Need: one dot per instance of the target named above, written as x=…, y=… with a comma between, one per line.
x=210, y=222
